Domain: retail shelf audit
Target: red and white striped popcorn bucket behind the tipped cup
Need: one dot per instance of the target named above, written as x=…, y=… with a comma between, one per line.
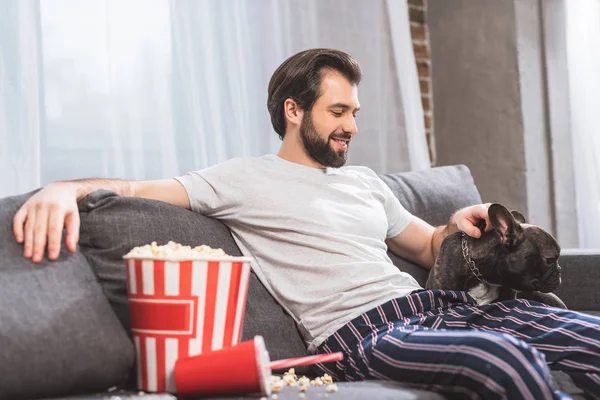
x=181, y=308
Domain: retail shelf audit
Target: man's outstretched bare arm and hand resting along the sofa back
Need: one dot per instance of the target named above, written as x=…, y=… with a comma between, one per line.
x=40, y=221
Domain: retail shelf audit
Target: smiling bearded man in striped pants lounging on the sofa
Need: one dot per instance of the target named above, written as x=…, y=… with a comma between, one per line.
x=319, y=233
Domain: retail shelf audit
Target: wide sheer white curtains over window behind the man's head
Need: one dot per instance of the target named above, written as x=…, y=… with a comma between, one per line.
x=149, y=89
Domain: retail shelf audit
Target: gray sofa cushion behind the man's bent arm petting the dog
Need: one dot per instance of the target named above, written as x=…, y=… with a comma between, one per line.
x=433, y=195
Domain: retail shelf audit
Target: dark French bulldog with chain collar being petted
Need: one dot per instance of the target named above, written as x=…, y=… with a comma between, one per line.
x=514, y=259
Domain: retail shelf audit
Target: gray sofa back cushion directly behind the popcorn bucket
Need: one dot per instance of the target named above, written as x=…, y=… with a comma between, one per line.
x=113, y=225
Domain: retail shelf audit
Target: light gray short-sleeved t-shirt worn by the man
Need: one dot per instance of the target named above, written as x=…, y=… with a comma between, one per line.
x=318, y=236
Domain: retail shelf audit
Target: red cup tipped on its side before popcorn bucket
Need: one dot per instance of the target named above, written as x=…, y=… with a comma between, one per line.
x=242, y=369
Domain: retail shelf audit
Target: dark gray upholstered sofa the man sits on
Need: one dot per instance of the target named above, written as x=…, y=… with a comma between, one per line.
x=64, y=324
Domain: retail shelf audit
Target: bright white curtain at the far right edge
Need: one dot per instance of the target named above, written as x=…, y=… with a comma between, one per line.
x=583, y=60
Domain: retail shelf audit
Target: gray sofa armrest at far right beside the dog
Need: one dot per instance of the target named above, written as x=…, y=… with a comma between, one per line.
x=580, y=287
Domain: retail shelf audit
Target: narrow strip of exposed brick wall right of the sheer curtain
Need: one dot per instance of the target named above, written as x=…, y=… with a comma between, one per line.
x=417, y=10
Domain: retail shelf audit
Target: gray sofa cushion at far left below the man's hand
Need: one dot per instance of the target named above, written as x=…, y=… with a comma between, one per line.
x=58, y=334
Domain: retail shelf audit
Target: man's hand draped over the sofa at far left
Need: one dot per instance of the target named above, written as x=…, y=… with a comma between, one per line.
x=40, y=221
